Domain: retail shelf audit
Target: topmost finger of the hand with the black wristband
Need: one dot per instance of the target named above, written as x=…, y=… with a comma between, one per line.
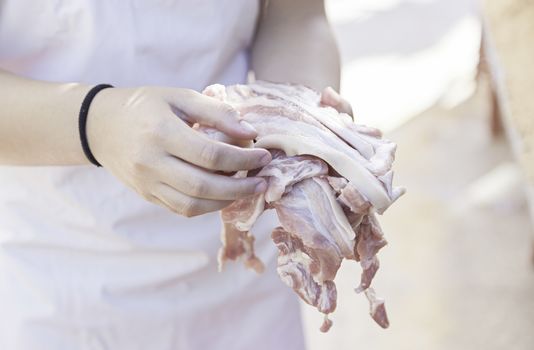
x=209, y=111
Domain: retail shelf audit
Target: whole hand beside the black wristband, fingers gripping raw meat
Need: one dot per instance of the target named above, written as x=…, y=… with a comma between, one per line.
x=143, y=137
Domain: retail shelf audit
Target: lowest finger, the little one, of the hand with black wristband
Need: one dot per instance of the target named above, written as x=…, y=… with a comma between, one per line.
x=185, y=205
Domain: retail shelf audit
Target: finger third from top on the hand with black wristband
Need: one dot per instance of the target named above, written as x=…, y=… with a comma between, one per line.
x=200, y=183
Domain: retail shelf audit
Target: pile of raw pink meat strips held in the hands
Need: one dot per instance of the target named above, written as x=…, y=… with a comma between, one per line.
x=328, y=179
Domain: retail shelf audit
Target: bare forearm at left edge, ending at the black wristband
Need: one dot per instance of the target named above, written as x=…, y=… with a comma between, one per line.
x=38, y=122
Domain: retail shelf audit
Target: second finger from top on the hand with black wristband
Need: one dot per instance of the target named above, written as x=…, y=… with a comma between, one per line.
x=192, y=146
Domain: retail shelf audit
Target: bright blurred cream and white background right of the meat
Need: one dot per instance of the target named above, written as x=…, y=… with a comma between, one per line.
x=458, y=271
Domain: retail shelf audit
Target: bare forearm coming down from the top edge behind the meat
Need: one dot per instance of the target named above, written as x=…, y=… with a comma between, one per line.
x=295, y=44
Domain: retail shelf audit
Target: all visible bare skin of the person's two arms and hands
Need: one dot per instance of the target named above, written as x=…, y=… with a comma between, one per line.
x=133, y=132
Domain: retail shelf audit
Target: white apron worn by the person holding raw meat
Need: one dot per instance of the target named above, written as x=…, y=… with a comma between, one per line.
x=84, y=262
